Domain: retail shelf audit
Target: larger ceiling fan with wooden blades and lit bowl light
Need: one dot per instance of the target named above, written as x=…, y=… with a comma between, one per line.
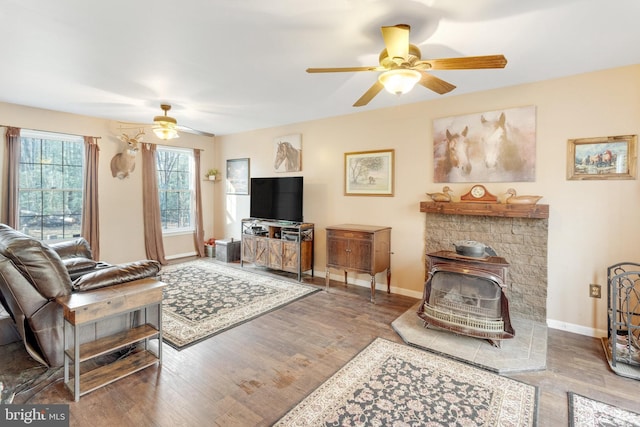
x=402, y=66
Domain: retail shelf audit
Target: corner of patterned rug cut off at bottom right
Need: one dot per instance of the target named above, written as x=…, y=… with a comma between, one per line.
x=588, y=412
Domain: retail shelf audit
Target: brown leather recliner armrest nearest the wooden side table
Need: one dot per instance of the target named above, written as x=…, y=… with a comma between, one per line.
x=116, y=275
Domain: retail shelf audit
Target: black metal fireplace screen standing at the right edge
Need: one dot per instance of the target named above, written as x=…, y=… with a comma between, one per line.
x=623, y=319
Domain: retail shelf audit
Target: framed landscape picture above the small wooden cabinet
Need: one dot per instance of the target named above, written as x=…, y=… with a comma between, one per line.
x=369, y=173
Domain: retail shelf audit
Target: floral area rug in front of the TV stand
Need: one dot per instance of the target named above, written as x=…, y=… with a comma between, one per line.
x=203, y=298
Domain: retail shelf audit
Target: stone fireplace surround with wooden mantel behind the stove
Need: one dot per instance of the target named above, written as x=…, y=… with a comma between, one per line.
x=518, y=233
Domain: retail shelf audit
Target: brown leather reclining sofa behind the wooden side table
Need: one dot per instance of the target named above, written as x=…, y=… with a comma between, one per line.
x=34, y=274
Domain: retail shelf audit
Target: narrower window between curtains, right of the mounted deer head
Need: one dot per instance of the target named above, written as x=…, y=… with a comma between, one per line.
x=176, y=189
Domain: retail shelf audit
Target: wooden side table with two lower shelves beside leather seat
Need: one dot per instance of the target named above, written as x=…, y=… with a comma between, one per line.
x=83, y=308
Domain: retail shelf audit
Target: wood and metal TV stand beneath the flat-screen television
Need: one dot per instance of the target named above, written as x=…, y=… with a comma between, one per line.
x=279, y=245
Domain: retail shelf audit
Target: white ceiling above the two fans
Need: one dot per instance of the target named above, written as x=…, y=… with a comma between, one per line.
x=231, y=66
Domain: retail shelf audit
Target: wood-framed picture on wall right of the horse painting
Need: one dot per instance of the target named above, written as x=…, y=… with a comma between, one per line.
x=608, y=157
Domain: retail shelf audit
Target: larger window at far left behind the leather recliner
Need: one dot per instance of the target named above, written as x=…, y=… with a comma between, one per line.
x=50, y=185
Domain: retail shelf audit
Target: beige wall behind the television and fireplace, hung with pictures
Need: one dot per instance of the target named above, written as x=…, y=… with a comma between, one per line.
x=592, y=224
